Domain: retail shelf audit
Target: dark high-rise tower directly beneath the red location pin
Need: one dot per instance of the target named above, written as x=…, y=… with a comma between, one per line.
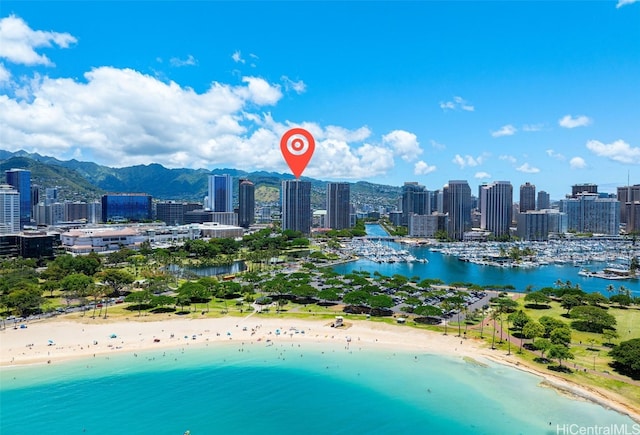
x=296, y=205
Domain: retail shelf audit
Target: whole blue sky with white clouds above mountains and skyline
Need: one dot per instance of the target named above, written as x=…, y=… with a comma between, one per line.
x=545, y=92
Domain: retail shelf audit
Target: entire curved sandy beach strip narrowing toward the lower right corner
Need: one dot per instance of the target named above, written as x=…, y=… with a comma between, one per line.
x=58, y=340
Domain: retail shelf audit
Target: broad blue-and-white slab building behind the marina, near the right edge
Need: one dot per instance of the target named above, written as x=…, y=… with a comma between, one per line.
x=588, y=213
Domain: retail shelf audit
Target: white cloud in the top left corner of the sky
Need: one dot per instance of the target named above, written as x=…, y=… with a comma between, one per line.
x=18, y=42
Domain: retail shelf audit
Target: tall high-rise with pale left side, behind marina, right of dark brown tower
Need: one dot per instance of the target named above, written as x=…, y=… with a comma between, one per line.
x=497, y=207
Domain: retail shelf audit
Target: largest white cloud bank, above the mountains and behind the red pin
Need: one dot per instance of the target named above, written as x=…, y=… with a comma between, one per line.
x=120, y=117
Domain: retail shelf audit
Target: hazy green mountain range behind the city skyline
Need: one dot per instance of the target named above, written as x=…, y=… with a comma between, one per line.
x=87, y=181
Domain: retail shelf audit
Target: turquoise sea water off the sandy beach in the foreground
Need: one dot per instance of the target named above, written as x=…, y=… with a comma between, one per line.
x=284, y=390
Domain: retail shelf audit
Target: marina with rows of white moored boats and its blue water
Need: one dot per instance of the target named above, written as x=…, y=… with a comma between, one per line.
x=556, y=263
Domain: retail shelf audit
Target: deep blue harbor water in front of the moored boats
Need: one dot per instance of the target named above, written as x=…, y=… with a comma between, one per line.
x=450, y=269
